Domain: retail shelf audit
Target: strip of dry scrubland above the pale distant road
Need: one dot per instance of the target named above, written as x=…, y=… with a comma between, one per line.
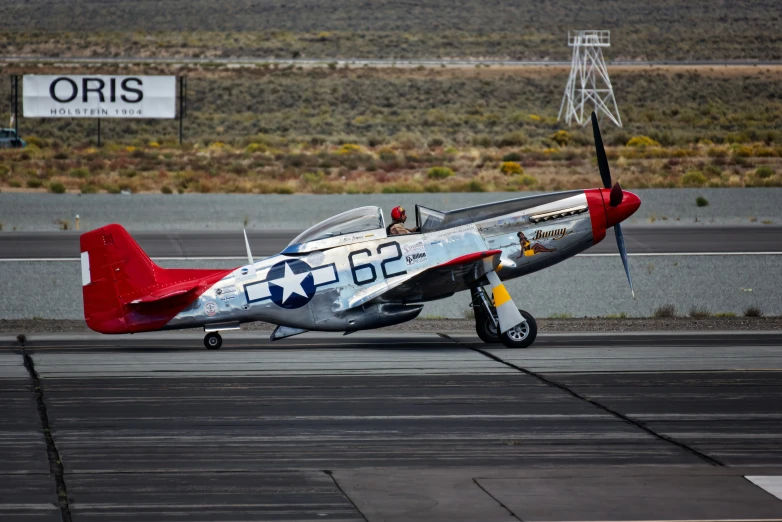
x=661, y=30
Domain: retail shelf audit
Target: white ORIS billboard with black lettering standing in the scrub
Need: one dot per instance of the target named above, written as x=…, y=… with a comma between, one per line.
x=66, y=96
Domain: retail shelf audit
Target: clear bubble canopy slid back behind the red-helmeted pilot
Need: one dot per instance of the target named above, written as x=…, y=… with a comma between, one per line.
x=353, y=226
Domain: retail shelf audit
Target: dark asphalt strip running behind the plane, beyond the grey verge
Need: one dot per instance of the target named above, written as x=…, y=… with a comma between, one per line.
x=188, y=244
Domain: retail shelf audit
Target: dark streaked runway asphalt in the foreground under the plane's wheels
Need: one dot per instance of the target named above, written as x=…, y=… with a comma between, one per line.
x=393, y=426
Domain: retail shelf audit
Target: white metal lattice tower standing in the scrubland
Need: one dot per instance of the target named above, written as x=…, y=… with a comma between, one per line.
x=588, y=84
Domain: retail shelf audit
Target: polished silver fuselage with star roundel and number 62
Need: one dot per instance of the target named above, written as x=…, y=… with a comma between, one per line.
x=350, y=287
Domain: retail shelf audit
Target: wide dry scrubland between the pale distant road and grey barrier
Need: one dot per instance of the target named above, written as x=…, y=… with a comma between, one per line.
x=283, y=130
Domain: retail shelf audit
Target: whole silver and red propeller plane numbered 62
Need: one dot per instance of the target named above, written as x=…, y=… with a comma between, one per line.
x=348, y=274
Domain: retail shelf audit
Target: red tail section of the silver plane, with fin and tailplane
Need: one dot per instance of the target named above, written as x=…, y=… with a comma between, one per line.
x=124, y=291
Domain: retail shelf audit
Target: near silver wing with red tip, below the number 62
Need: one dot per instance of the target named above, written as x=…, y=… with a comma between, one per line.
x=444, y=279
